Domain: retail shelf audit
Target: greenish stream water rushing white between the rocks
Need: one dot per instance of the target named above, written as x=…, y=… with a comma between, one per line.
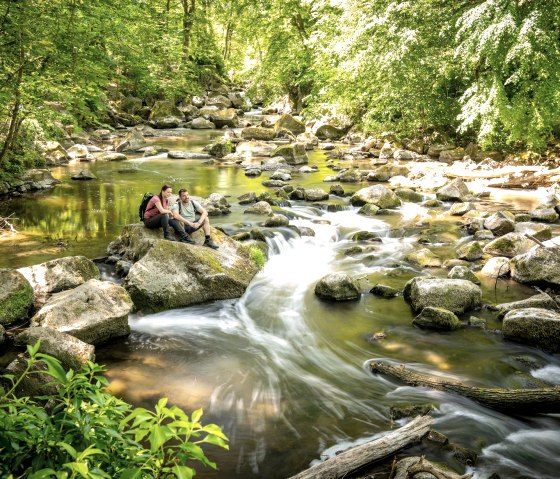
x=284, y=373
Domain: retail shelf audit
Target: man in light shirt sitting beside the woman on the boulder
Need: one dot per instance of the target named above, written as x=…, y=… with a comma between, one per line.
x=184, y=219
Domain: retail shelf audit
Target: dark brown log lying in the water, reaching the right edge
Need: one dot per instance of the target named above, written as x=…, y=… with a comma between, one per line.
x=541, y=400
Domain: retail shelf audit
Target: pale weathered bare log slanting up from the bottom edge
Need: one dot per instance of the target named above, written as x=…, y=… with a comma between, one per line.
x=378, y=449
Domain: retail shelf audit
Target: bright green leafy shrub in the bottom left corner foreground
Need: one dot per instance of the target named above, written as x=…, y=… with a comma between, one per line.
x=82, y=431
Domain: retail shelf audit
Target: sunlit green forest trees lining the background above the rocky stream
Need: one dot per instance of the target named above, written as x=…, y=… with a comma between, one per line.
x=483, y=71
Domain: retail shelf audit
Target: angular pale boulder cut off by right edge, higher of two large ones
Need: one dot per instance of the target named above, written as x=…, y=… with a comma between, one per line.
x=539, y=265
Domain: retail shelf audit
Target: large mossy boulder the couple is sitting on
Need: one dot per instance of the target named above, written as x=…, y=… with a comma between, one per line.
x=173, y=275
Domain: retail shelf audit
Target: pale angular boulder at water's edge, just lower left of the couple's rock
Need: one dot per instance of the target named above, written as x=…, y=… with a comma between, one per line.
x=94, y=312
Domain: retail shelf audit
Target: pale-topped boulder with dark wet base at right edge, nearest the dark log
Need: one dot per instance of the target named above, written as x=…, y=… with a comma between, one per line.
x=534, y=326
